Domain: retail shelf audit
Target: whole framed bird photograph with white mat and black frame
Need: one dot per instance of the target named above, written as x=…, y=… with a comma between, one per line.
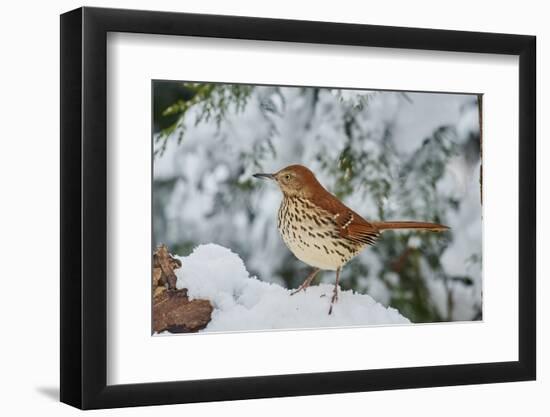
x=257, y=208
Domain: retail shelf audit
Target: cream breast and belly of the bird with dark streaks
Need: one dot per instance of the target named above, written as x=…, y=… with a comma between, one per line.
x=312, y=235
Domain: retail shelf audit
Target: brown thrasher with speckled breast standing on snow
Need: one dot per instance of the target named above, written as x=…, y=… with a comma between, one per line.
x=320, y=230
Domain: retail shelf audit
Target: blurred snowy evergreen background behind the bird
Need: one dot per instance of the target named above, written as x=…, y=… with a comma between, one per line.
x=388, y=155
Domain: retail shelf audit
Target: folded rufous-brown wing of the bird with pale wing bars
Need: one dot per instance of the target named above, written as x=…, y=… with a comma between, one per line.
x=351, y=225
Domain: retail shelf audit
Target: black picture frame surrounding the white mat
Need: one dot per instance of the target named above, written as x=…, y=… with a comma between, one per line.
x=84, y=207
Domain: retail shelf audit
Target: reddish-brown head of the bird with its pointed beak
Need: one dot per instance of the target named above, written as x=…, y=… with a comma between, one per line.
x=294, y=181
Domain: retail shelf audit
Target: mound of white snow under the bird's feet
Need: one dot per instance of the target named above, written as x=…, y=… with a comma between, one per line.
x=242, y=302
